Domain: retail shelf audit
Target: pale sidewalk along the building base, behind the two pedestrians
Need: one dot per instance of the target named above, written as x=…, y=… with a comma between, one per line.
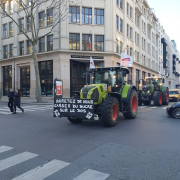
x=25, y=100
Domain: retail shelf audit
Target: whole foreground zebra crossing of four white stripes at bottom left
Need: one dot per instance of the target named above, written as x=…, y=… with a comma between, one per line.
x=42, y=171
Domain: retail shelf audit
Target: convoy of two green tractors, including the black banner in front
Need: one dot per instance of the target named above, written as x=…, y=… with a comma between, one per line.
x=107, y=94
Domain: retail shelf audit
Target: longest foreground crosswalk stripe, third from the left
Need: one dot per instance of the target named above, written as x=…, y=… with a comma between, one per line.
x=44, y=171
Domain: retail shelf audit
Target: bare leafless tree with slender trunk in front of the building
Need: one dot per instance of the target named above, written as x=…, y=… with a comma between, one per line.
x=56, y=11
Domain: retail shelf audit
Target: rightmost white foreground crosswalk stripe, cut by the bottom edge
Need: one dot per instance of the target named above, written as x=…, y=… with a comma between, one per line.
x=91, y=174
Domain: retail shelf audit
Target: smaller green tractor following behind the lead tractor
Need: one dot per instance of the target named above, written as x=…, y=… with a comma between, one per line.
x=153, y=90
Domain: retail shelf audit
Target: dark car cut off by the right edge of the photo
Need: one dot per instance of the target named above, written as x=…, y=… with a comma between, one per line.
x=173, y=110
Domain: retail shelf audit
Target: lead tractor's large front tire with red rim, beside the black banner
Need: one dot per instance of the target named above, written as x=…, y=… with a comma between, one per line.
x=110, y=111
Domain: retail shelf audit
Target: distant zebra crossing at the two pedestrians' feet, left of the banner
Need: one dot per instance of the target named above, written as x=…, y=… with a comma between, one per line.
x=33, y=108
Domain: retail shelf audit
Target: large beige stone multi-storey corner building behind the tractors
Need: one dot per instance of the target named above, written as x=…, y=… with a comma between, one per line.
x=114, y=26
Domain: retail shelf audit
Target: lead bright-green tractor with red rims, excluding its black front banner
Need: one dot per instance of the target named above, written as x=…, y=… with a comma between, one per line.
x=110, y=95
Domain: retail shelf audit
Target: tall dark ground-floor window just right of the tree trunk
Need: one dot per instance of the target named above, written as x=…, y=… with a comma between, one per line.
x=46, y=77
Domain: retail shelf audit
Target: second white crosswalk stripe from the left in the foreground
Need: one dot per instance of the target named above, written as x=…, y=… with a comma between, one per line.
x=14, y=160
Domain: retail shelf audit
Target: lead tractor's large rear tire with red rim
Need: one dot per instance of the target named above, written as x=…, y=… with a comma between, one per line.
x=131, y=106
